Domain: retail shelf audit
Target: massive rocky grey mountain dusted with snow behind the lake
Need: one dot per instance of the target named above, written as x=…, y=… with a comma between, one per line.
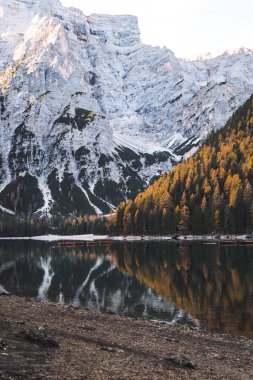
x=90, y=116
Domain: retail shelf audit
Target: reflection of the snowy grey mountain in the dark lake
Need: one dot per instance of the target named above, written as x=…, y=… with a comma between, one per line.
x=83, y=276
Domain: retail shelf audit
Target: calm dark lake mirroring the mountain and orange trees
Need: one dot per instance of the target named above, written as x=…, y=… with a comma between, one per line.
x=192, y=284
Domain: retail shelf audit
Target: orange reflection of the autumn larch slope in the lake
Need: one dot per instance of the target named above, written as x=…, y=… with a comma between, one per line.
x=213, y=283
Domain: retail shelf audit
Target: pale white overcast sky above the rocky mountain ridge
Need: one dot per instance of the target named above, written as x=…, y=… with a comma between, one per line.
x=188, y=27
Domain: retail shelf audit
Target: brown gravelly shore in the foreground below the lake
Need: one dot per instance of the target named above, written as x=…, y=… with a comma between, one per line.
x=41, y=340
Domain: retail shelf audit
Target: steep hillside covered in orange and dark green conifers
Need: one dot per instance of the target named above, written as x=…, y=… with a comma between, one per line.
x=211, y=191
